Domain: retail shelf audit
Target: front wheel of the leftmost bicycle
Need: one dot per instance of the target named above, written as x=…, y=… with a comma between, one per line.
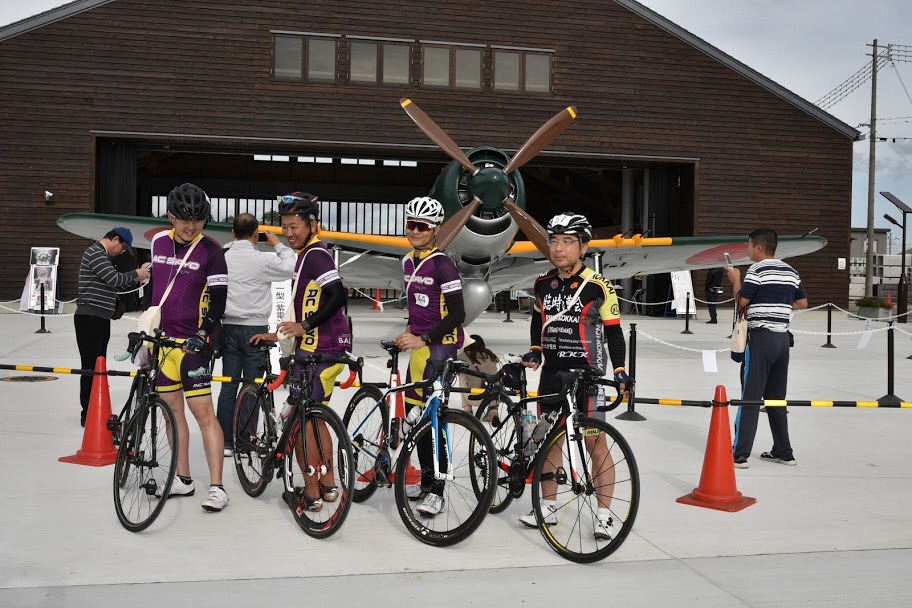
x=145, y=466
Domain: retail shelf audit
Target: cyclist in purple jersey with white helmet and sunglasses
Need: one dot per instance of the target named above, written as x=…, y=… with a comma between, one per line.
x=436, y=311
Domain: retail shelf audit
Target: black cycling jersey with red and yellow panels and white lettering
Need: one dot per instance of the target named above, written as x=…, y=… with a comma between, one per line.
x=576, y=338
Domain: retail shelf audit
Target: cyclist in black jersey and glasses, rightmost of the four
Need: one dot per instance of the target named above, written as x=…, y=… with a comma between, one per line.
x=577, y=325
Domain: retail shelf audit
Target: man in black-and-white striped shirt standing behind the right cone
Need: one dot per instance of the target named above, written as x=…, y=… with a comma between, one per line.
x=771, y=291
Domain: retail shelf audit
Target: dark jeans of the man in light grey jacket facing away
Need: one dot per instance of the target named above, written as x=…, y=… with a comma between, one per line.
x=239, y=359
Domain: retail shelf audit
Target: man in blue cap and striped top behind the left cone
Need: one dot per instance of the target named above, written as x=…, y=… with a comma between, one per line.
x=95, y=302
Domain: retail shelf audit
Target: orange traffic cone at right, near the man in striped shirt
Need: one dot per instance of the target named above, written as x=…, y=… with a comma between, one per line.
x=717, y=489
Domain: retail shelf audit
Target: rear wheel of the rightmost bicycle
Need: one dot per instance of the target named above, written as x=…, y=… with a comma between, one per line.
x=494, y=414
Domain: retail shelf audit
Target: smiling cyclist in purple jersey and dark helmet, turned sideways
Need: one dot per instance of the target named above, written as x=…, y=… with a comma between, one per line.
x=320, y=325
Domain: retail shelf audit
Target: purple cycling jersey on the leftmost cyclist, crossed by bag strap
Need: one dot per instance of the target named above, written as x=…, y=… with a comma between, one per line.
x=187, y=308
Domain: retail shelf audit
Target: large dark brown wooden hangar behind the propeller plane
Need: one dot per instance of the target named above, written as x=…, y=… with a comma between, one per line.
x=110, y=103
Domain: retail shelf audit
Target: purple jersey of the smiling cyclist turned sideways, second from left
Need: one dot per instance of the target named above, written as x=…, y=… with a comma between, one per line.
x=317, y=272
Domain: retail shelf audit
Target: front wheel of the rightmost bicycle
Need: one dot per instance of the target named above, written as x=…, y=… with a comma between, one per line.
x=610, y=476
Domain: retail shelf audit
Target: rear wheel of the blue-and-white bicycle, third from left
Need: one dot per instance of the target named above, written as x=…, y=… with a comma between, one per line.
x=366, y=420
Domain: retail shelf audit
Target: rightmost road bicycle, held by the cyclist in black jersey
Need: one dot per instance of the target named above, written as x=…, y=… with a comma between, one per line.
x=582, y=480
